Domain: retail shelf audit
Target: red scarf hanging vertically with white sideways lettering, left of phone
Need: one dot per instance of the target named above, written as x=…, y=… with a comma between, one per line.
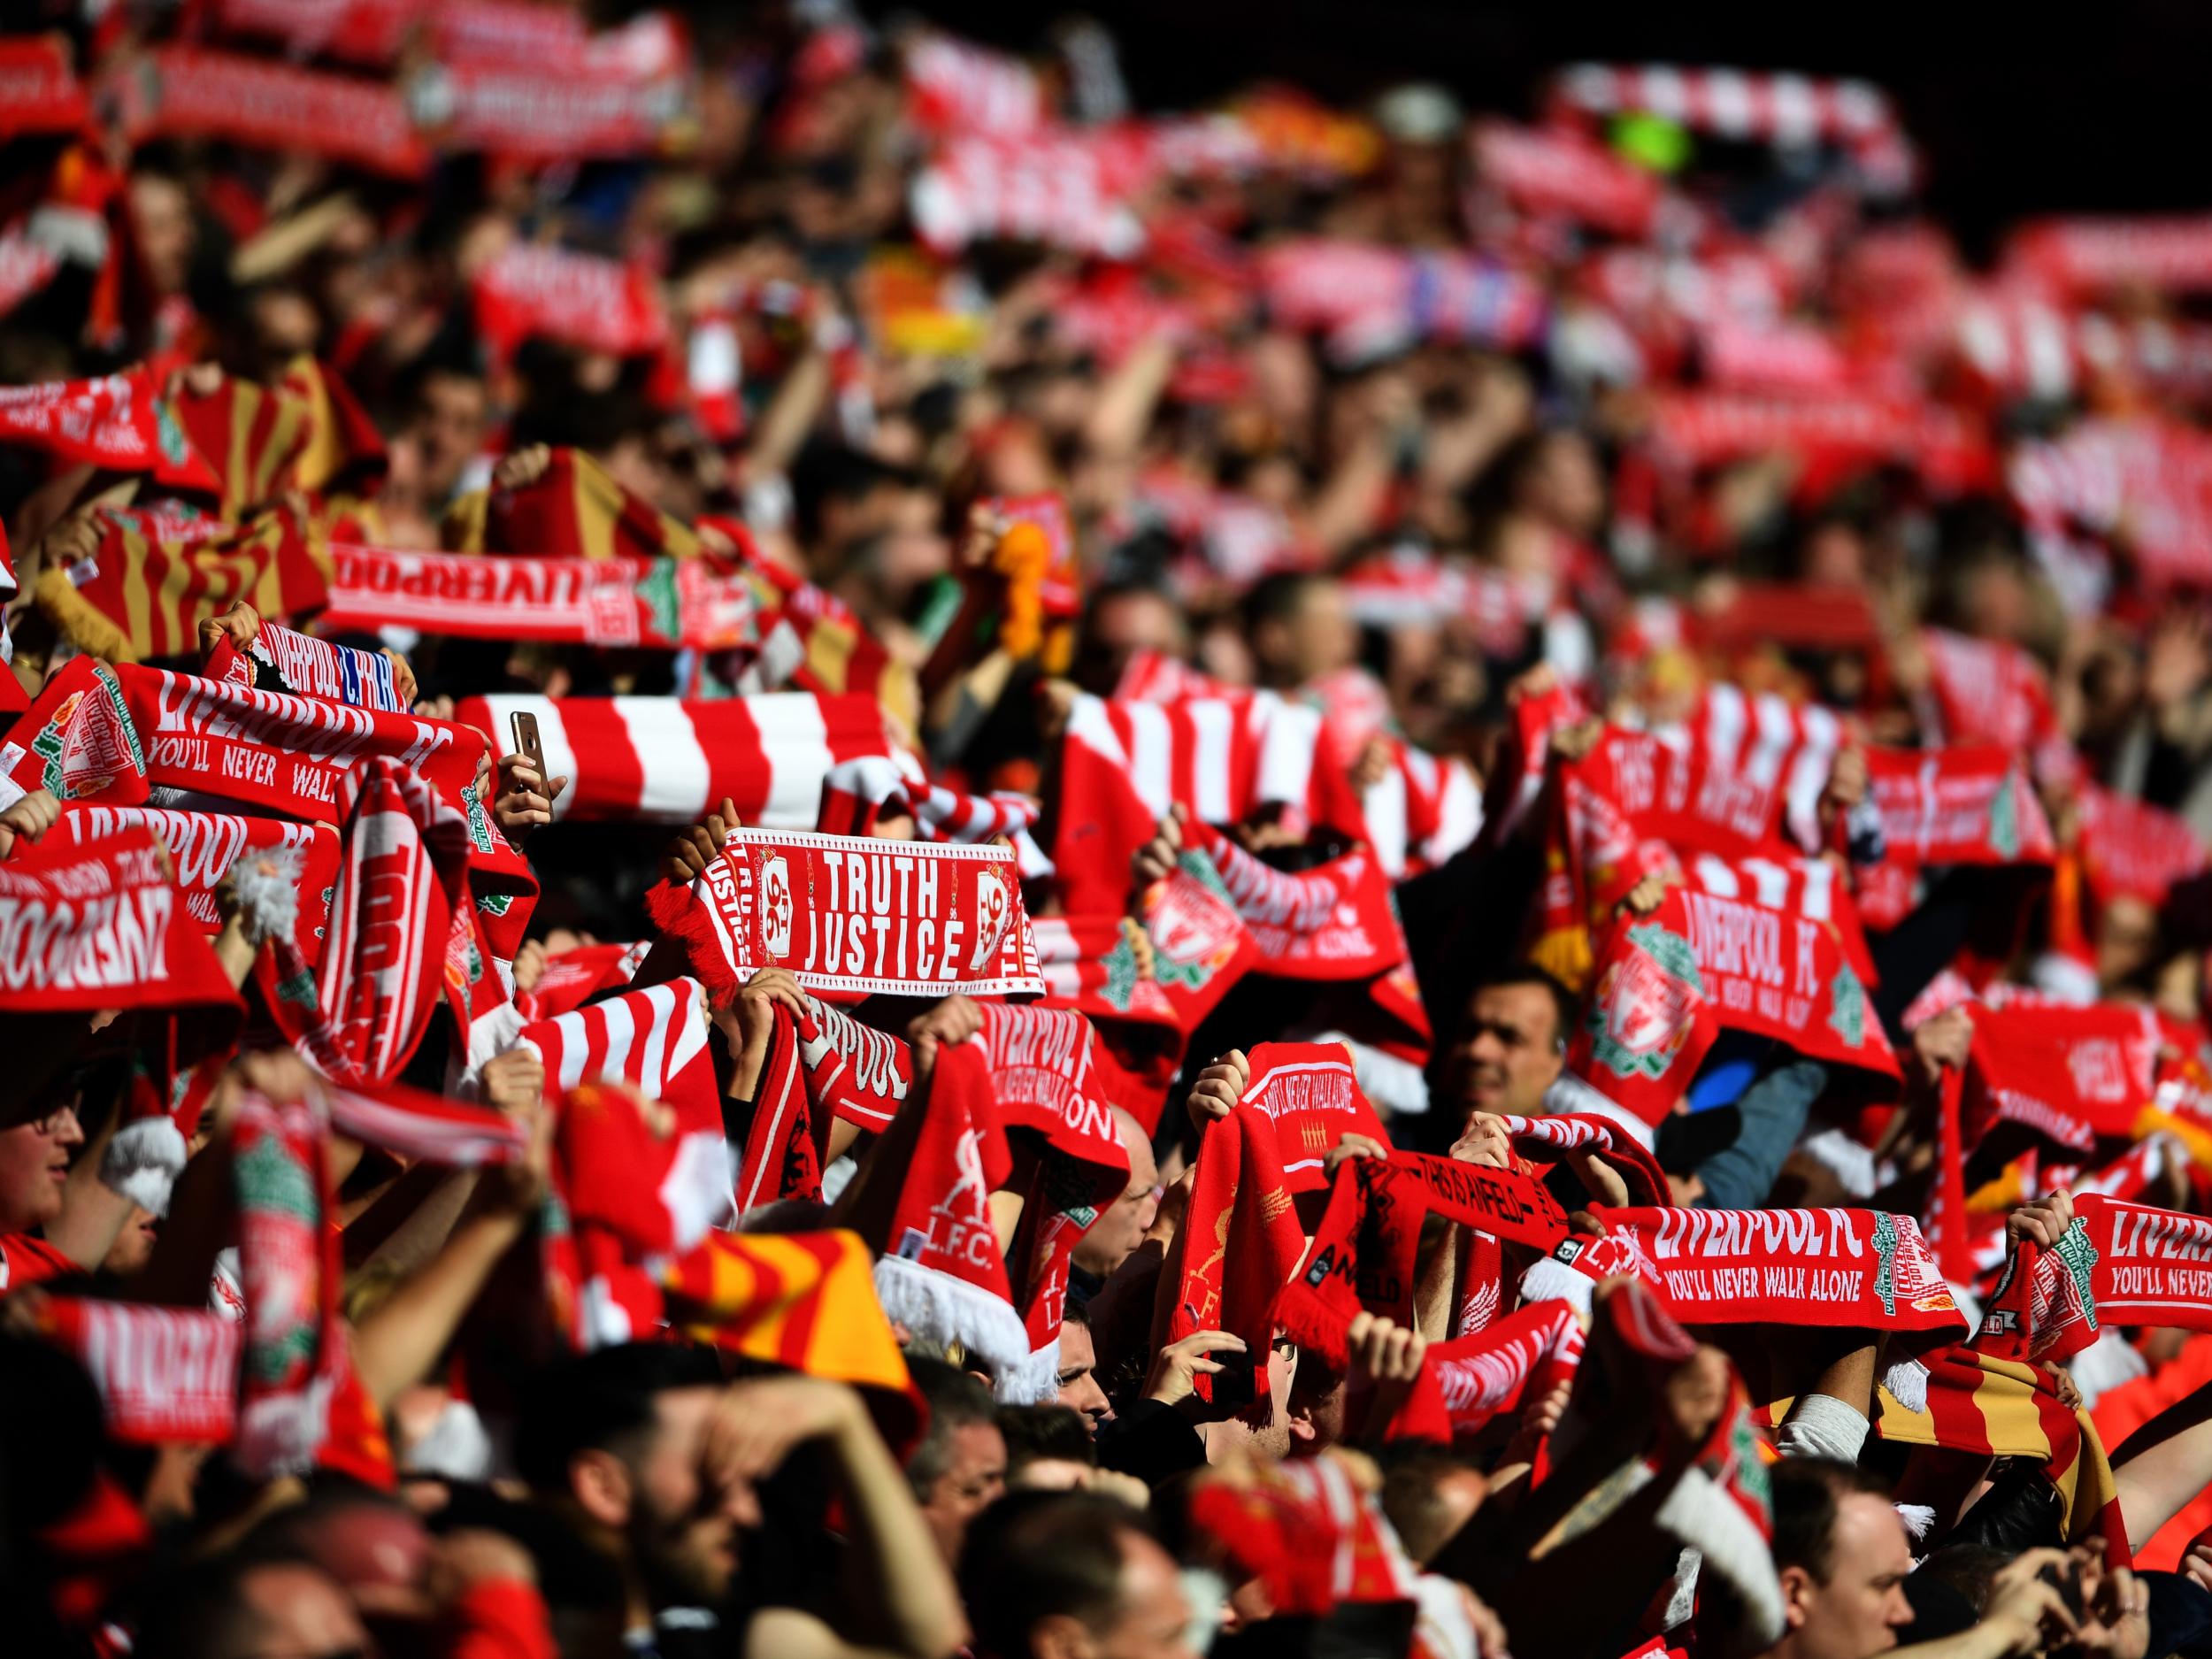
x=404, y=875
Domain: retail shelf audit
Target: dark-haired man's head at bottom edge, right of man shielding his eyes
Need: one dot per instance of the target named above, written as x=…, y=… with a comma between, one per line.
x=1063, y=1576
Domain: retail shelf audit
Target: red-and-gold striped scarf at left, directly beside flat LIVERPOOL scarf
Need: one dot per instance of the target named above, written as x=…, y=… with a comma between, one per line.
x=147, y=592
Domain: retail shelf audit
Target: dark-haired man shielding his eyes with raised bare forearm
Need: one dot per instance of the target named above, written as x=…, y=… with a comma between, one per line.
x=656, y=1461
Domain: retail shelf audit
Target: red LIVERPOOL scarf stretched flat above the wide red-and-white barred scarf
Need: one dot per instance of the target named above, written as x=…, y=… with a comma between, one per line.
x=662, y=605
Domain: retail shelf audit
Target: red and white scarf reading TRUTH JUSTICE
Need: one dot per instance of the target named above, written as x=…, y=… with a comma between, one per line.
x=853, y=917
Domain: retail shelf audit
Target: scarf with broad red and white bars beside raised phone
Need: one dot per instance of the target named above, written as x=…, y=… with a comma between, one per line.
x=662, y=760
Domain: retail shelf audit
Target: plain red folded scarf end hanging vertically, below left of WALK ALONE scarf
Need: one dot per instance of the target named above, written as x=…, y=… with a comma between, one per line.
x=1240, y=1244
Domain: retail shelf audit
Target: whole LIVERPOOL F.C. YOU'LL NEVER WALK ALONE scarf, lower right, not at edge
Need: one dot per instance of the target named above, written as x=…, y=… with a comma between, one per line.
x=1855, y=1269
